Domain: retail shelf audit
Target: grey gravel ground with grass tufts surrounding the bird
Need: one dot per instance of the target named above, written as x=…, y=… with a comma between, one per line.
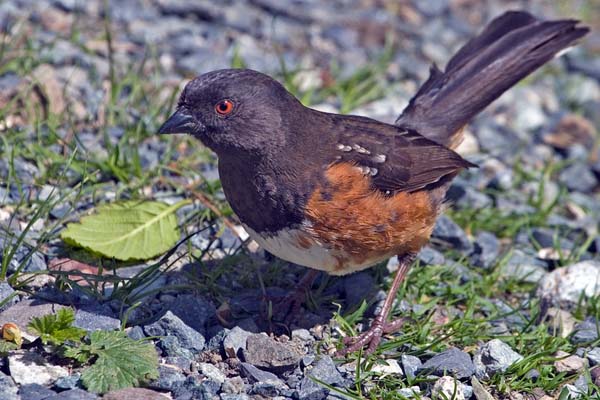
x=518, y=253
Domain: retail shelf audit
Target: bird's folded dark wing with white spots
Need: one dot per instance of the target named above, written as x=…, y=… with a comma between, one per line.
x=411, y=161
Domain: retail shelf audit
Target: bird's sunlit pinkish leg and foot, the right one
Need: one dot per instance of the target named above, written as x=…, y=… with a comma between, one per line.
x=380, y=324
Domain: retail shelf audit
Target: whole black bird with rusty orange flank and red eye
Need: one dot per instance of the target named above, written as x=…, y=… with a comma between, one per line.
x=341, y=193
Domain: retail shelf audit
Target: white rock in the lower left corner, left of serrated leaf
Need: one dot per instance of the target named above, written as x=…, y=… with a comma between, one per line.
x=27, y=367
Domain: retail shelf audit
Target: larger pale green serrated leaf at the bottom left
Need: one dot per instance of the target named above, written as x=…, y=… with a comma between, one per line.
x=121, y=362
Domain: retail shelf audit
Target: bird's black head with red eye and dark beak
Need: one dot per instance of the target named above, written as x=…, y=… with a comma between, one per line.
x=234, y=112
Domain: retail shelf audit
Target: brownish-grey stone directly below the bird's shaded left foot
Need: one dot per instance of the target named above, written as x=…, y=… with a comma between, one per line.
x=263, y=351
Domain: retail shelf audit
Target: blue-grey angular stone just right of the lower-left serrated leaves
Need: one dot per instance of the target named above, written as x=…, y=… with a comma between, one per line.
x=169, y=325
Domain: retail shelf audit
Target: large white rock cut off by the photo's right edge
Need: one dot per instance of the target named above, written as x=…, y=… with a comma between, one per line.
x=565, y=285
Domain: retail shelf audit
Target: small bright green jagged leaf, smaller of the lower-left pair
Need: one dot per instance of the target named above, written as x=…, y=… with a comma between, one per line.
x=57, y=328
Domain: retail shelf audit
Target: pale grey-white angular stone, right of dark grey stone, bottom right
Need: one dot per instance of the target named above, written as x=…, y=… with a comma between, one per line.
x=493, y=357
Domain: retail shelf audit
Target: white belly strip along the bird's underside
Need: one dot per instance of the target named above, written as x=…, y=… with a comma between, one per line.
x=298, y=247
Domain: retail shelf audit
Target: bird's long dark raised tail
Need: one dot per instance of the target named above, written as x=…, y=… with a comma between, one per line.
x=511, y=47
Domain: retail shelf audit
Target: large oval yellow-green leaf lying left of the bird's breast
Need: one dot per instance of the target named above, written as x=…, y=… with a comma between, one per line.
x=130, y=230
